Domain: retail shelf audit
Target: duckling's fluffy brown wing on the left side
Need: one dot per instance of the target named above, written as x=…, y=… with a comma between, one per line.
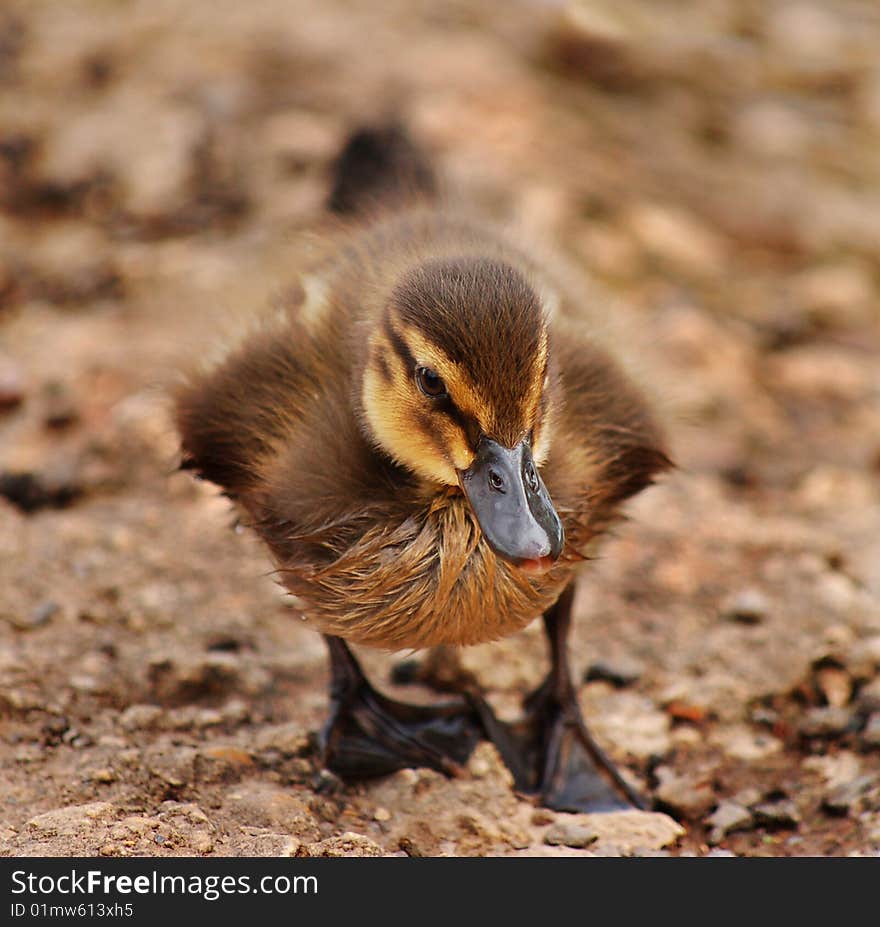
x=273, y=425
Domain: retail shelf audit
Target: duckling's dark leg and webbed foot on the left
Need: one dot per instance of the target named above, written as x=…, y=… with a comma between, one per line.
x=368, y=734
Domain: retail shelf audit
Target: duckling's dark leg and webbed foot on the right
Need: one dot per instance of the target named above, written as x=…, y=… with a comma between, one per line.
x=551, y=752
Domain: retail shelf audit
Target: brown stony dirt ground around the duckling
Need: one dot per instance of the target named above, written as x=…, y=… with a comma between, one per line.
x=712, y=165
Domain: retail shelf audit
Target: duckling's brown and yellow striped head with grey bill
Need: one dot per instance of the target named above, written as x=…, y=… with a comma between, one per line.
x=458, y=389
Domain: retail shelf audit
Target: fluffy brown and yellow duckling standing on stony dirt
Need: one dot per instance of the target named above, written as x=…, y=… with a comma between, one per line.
x=429, y=443
